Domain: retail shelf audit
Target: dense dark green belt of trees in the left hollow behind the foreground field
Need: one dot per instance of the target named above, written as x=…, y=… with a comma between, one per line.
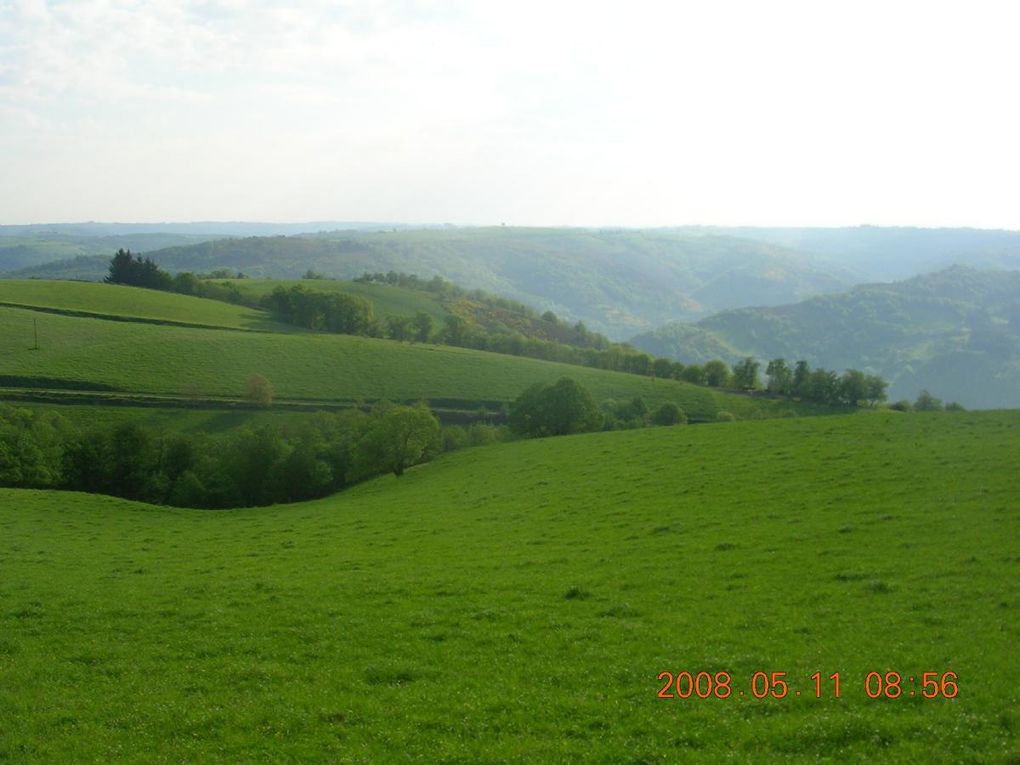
x=254, y=466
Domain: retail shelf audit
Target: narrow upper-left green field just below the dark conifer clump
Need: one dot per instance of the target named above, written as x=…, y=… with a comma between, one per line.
x=117, y=300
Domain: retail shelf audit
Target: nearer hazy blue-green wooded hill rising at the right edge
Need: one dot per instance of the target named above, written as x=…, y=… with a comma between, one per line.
x=956, y=333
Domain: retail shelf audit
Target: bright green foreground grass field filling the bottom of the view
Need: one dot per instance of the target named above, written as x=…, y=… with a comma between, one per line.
x=518, y=603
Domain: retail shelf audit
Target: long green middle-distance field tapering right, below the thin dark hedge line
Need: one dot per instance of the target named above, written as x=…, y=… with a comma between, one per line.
x=184, y=362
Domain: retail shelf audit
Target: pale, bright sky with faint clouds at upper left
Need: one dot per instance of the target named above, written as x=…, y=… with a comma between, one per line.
x=528, y=113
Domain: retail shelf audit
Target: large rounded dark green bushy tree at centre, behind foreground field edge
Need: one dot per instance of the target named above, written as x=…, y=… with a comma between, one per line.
x=559, y=410
